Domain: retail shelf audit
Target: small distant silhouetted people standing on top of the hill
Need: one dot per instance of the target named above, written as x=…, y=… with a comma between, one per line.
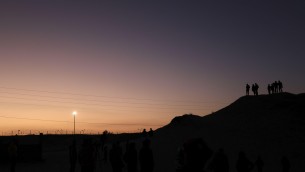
x=275, y=87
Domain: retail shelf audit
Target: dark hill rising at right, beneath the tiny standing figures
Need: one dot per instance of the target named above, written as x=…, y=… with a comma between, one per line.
x=269, y=125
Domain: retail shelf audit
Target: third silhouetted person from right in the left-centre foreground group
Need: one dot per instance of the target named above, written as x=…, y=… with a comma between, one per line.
x=115, y=157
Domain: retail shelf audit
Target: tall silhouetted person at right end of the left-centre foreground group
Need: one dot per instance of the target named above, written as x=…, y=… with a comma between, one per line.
x=146, y=157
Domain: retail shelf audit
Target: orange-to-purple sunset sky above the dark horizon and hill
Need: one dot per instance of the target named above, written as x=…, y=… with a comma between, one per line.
x=129, y=65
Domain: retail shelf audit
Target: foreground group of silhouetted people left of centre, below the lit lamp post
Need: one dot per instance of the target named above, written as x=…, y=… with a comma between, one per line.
x=132, y=160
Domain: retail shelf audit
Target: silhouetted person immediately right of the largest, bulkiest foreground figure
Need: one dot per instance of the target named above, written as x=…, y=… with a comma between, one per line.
x=220, y=162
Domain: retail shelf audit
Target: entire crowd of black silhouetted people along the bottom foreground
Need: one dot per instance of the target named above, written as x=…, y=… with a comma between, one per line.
x=191, y=157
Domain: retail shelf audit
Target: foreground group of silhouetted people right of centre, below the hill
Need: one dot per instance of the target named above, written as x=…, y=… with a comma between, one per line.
x=194, y=155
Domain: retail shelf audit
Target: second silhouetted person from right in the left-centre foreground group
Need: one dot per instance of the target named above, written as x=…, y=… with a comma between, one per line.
x=131, y=158
